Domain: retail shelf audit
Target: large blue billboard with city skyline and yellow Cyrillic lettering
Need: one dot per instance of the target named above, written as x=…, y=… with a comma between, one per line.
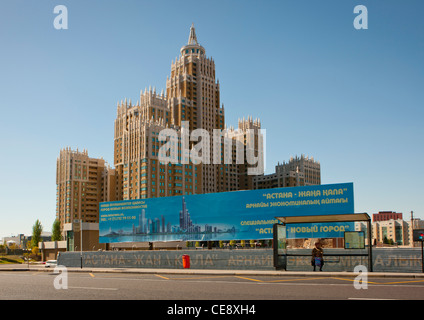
x=237, y=215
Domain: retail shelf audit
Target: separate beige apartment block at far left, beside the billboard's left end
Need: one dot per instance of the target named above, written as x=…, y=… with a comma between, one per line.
x=82, y=183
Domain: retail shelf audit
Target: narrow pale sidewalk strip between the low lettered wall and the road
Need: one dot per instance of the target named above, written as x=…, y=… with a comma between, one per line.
x=216, y=272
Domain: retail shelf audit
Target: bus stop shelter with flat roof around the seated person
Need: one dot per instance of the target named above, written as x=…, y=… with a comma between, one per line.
x=279, y=243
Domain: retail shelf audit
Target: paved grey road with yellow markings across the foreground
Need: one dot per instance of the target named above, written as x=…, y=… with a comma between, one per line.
x=35, y=284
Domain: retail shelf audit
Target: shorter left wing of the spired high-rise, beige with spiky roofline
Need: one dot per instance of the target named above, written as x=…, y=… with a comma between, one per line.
x=139, y=172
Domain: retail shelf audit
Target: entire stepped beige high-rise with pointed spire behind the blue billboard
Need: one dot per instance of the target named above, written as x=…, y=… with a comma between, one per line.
x=192, y=101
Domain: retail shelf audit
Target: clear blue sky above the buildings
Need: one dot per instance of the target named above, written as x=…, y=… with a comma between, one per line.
x=352, y=99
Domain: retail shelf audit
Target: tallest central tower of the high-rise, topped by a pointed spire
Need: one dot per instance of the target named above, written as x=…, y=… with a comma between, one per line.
x=193, y=95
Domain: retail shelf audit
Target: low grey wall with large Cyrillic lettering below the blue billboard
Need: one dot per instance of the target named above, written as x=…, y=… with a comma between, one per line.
x=407, y=260
